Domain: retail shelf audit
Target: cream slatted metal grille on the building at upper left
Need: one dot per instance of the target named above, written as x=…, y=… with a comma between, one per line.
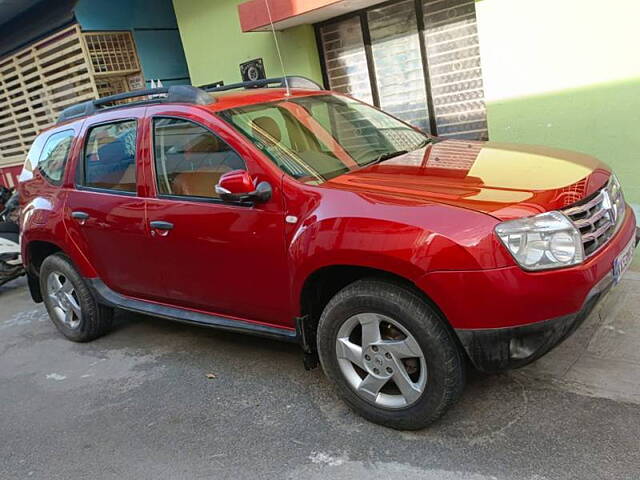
x=39, y=81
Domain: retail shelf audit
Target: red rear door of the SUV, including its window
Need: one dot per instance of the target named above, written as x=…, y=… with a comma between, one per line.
x=104, y=213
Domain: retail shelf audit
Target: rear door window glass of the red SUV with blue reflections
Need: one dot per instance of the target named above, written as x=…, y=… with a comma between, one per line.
x=110, y=157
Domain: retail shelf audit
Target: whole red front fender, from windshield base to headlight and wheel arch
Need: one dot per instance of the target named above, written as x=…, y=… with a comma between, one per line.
x=338, y=227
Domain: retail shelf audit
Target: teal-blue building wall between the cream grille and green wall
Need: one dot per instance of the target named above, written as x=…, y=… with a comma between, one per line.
x=155, y=31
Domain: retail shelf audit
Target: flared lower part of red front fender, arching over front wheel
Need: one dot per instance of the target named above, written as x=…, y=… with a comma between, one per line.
x=406, y=250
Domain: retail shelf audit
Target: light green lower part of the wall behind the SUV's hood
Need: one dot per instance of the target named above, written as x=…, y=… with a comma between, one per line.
x=602, y=120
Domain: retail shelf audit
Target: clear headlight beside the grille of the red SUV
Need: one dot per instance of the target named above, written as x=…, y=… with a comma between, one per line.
x=548, y=240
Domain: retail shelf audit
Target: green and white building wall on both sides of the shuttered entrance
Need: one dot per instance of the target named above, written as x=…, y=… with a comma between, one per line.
x=559, y=73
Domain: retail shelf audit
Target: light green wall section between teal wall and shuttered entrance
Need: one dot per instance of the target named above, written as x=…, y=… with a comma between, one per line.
x=215, y=45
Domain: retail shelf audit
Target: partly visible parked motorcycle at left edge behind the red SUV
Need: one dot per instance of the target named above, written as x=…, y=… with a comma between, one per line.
x=10, y=259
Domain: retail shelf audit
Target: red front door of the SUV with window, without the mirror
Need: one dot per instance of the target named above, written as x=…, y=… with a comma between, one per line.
x=216, y=257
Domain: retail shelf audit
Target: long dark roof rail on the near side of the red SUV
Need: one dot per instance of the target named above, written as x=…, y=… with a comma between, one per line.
x=173, y=94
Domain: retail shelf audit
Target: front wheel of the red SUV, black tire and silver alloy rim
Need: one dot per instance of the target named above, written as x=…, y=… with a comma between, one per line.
x=437, y=378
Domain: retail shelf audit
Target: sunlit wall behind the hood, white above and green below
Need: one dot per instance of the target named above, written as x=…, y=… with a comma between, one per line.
x=565, y=74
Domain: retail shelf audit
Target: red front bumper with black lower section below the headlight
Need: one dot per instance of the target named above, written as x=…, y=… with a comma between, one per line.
x=506, y=318
